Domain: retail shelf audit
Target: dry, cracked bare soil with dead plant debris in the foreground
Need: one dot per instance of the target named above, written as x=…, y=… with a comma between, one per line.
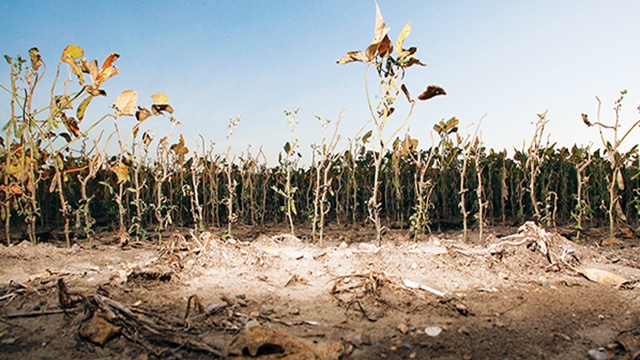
x=272, y=295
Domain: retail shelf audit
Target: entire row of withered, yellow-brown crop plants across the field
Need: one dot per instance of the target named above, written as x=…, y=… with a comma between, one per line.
x=55, y=175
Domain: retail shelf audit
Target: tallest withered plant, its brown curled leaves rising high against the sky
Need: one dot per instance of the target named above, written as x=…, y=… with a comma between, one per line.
x=391, y=72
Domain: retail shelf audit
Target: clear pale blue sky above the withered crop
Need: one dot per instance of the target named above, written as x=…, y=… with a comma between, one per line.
x=219, y=59
